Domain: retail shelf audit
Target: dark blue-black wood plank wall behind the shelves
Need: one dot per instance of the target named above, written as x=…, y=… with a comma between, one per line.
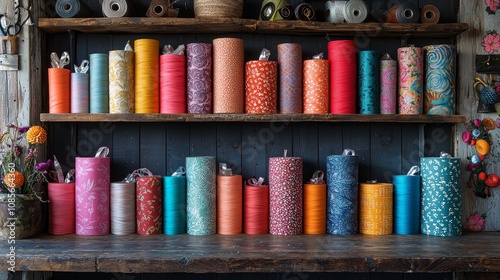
x=383, y=149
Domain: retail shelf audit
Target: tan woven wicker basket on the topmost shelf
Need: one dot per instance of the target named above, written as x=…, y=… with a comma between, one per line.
x=218, y=8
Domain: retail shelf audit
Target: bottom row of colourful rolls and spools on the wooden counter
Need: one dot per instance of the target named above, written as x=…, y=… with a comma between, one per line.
x=203, y=203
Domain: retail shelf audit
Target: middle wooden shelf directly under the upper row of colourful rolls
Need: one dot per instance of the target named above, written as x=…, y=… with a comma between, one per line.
x=251, y=118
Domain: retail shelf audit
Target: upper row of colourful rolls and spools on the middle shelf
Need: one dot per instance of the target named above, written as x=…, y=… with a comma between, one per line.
x=214, y=78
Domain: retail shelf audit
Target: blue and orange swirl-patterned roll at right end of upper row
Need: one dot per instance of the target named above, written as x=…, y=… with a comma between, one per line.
x=440, y=79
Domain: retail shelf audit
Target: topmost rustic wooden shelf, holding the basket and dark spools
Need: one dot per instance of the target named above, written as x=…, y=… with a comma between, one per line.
x=236, y=25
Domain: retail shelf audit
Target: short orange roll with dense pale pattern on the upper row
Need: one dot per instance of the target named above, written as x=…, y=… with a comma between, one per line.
x=261, y=87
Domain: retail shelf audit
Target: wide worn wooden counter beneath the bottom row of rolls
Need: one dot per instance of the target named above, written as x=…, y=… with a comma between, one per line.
x=472, y=252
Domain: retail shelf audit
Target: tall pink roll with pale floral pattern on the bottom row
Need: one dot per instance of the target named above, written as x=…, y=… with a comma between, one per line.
x=92, y=195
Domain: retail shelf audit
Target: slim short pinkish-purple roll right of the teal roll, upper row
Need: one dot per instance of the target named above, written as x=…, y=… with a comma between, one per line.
x=388, y=85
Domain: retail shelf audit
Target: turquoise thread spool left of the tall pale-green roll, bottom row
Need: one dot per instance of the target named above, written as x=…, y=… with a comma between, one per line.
x=174, y=205
